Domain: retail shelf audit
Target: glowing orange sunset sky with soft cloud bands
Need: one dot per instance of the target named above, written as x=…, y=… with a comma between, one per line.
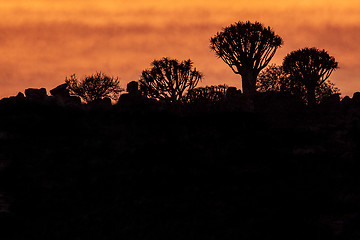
x=44, y=41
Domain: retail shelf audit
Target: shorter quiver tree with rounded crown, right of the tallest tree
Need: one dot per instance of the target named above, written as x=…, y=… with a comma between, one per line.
x=311, y=67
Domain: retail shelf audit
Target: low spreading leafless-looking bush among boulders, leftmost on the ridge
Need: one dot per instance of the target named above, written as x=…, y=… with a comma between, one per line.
x=94, y=87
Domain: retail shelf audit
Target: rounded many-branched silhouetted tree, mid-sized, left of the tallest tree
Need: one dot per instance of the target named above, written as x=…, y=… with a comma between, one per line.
x=168, y=79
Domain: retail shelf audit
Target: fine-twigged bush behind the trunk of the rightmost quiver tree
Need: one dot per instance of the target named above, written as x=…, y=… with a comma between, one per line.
x=274, y=79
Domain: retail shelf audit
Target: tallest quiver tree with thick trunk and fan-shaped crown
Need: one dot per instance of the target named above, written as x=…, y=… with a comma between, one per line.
x=247, y=48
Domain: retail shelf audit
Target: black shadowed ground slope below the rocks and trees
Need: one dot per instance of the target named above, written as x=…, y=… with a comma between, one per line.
x=109, y=174
